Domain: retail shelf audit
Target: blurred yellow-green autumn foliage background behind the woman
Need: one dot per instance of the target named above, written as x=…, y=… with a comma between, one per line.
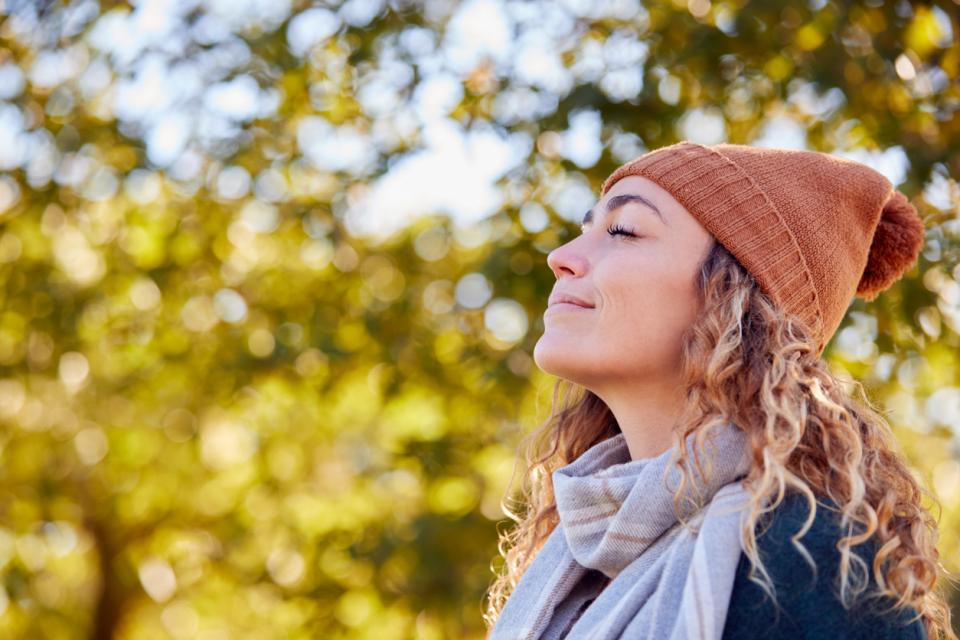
x=271, y=273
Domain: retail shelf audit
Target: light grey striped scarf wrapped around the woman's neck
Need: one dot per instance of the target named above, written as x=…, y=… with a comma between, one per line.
x=617, y=517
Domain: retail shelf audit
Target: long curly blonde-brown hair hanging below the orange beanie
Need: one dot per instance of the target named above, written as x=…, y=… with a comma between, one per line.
x=746, y=361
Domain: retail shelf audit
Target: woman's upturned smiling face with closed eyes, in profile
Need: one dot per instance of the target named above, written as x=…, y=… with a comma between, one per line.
x=641, y=290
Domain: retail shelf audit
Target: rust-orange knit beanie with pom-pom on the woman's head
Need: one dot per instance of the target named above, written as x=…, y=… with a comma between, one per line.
x=814, y=230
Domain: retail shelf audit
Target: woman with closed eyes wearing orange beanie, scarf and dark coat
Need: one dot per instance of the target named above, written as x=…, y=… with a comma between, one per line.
x=693, y=309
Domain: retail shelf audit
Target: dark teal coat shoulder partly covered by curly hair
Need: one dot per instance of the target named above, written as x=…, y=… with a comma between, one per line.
x=808, y=597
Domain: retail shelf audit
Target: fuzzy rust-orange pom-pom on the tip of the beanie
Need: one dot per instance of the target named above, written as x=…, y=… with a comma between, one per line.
x=896, y=244
